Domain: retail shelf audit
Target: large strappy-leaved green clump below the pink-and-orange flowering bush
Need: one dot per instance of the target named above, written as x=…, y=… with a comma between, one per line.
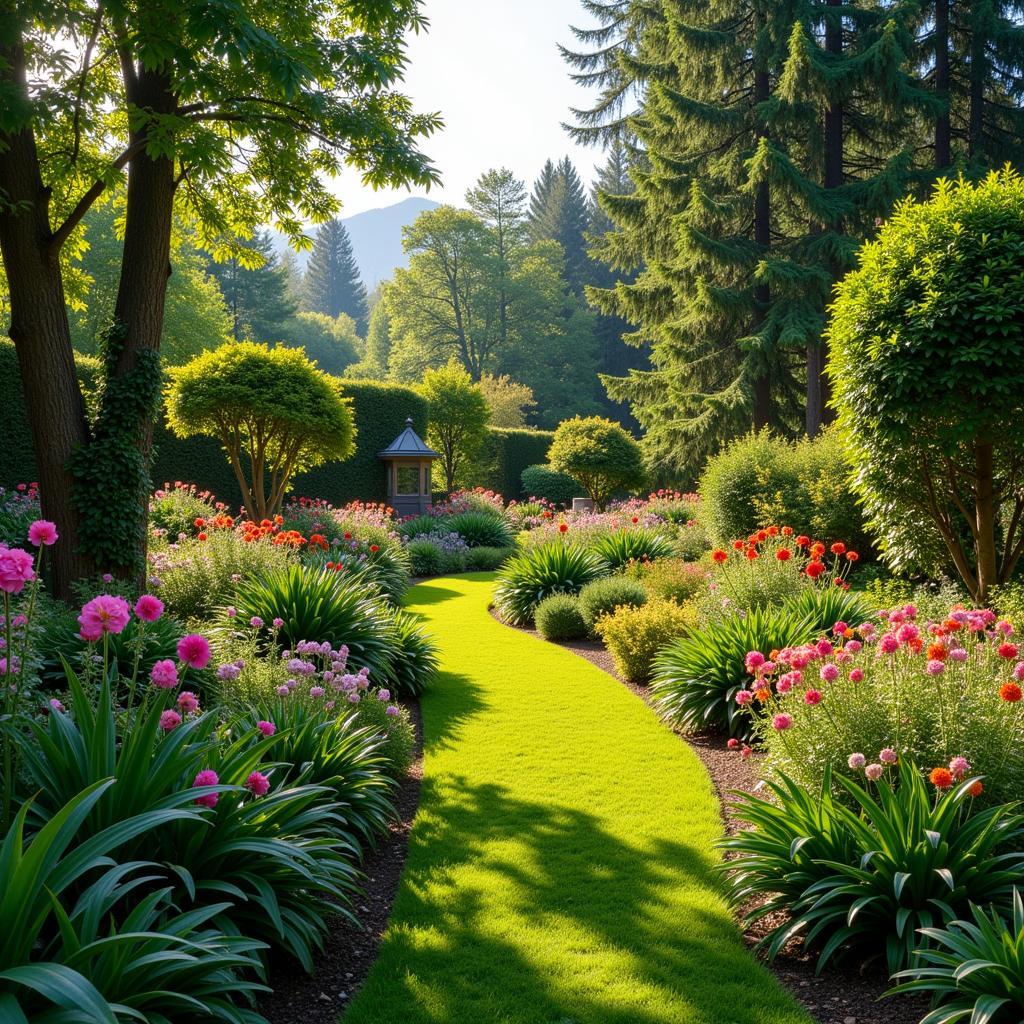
x=849, y=879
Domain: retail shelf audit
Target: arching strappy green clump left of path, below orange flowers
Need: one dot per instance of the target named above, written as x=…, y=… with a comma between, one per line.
x=322, y=604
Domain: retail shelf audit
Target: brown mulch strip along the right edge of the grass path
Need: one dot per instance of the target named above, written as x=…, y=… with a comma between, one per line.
x=840, y=996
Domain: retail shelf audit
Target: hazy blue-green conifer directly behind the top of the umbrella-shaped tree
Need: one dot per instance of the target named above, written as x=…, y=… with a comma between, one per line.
x=255, y=286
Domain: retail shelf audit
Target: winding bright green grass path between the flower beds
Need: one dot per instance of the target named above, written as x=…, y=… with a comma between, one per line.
x=561, y=867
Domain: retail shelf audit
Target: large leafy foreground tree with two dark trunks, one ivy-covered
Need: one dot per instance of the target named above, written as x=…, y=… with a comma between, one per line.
x=234, y=112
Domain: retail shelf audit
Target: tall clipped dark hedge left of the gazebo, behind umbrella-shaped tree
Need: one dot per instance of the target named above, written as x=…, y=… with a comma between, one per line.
x=380, y=412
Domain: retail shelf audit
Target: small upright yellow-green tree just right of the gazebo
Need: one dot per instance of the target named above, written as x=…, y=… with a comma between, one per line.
x=459, y=417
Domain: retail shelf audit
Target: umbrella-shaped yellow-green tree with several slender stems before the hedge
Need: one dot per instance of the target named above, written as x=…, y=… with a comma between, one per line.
x=272, y=406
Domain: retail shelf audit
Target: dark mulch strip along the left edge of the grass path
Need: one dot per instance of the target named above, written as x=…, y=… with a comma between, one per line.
x=351, y=950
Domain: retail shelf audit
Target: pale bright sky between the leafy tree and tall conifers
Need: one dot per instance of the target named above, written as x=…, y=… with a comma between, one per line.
x=493, y=70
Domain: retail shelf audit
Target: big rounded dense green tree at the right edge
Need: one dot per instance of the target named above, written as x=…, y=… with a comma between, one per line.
x=927, y=364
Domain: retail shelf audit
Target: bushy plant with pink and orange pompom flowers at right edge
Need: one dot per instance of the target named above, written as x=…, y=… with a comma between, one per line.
x=938, y=693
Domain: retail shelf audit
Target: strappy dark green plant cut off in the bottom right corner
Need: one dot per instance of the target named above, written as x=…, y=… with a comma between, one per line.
x=993, y=989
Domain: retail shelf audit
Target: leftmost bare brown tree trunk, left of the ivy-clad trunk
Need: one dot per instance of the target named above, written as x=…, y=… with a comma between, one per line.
x=41, y=335
